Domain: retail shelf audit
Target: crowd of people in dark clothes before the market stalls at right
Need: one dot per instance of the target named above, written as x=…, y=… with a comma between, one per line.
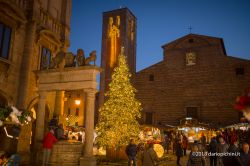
x=223, y=150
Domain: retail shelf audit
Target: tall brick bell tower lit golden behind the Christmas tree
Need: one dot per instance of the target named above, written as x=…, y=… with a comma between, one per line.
x=118, y=30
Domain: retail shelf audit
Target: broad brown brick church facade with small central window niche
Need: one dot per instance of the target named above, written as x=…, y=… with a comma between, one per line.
x=195, y=79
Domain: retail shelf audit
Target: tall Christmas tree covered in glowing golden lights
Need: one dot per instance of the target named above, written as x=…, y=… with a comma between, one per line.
x=120, y=112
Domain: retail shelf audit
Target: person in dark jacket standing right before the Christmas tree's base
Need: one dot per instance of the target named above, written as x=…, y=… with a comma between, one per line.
x=131, y=151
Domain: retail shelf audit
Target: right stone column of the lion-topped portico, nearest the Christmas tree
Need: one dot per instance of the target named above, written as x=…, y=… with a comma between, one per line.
x=88, y=158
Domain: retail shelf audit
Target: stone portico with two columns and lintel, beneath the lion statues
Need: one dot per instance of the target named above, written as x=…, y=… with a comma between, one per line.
x=80, y=78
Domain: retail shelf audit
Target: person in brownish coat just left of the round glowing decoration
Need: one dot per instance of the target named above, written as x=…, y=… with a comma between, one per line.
x=150, y=156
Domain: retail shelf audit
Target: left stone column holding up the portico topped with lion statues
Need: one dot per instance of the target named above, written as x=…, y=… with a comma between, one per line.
x=40, y=115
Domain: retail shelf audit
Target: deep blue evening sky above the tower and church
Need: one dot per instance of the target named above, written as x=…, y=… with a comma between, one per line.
x=162, y=21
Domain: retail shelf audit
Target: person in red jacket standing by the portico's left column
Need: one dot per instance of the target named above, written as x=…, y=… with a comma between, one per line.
x=48, y=142
